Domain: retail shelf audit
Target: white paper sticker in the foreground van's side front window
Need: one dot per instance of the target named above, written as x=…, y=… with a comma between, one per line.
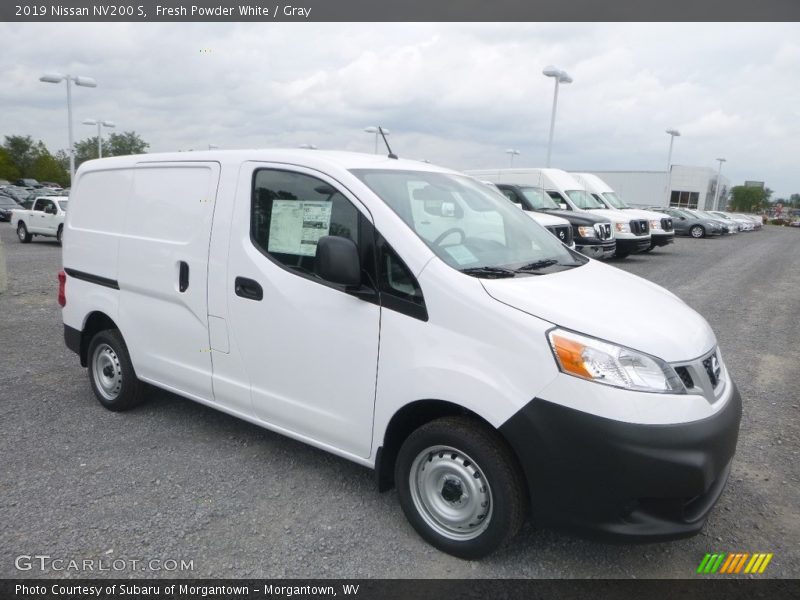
x=296, y=226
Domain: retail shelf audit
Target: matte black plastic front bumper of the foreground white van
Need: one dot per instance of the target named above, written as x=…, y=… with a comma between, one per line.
x=623, y=480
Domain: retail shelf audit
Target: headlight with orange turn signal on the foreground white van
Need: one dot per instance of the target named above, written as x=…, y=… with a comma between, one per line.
x=609, y=364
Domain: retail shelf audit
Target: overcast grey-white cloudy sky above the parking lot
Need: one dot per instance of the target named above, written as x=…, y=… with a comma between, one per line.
x=455, y=94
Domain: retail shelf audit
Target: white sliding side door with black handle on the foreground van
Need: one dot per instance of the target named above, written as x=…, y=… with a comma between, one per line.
x=163, y=273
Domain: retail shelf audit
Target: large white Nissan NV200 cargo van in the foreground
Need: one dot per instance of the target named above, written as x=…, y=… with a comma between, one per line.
x=403, y=317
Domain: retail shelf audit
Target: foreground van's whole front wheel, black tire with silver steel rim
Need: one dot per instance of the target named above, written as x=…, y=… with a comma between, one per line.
x=450, y=450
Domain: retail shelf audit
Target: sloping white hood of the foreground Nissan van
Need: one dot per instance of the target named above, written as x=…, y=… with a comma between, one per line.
x=606, y=302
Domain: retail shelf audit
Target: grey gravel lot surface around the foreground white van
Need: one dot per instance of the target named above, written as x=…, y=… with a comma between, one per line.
x=175, y=480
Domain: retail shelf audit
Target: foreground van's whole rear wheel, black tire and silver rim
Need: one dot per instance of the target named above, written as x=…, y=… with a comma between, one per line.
x=111, y=373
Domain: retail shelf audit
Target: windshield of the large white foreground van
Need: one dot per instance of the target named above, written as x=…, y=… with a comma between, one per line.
x=468, y=226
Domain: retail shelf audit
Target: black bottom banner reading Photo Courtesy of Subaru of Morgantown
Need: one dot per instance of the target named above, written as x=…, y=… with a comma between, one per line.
x=383, y=589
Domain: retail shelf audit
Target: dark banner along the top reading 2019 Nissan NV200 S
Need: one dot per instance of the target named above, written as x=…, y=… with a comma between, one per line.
x=406, y=10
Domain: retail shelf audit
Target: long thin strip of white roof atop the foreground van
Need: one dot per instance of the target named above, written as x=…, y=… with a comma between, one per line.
x=294, y=156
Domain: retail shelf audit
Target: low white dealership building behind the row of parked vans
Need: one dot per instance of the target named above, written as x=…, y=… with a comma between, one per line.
x=686, y=187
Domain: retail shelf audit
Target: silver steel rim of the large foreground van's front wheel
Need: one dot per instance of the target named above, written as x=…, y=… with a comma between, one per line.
x=451, y=493
